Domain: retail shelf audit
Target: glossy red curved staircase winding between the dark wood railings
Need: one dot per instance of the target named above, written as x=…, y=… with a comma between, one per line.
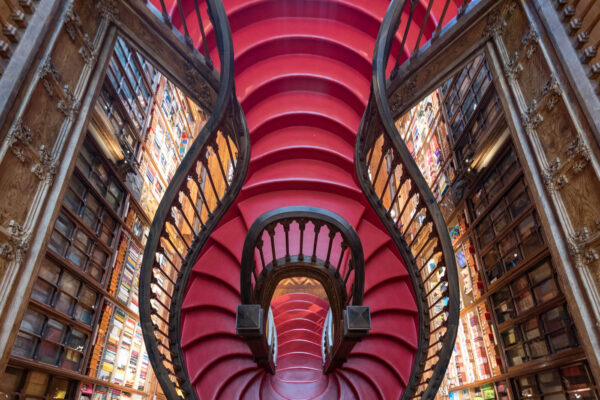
x=303, y=72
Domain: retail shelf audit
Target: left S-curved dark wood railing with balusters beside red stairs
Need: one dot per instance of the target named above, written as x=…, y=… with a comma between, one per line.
x=202, y=189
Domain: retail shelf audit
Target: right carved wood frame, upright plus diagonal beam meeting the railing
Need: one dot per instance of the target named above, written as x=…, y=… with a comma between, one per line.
x=556, y=129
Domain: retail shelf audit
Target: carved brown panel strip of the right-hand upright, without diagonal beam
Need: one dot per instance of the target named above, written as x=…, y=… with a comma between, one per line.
x=559, y=138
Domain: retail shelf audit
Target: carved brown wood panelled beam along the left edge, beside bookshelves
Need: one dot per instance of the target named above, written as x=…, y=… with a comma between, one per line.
x=43, y=122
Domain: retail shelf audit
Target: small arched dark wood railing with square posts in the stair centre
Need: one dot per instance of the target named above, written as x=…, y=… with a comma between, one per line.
x=310, y=242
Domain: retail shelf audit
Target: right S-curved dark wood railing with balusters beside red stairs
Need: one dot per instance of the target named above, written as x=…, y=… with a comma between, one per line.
x=405, y=204
